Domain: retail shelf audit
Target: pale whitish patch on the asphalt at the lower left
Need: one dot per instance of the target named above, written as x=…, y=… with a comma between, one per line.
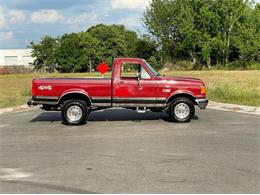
x=10, y=174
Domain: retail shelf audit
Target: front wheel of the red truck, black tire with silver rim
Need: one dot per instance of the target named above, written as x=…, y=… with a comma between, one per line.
x=188, y=106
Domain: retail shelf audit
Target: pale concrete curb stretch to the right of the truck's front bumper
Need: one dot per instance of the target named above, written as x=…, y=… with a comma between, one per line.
x=234, y=108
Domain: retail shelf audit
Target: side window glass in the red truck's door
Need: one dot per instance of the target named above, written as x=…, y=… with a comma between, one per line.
x=131, y=71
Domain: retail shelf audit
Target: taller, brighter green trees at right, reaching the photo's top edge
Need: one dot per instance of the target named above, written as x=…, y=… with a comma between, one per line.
x=206, y=32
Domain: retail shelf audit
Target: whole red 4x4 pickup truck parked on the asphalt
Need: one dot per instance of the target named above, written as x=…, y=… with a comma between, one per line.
x=134, y=85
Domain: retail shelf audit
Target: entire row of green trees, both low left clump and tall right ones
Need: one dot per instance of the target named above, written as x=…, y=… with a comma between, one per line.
x=205, y=33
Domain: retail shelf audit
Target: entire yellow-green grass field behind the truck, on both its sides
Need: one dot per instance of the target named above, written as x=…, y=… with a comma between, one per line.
x=239, y=87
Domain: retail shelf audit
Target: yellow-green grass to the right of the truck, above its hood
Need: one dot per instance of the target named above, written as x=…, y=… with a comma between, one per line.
x=238, y=87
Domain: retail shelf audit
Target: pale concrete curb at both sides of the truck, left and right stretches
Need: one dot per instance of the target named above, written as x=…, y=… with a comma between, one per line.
x=212, y=105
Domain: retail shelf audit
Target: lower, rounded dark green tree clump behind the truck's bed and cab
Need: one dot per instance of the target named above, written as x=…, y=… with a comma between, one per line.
x=81, y=52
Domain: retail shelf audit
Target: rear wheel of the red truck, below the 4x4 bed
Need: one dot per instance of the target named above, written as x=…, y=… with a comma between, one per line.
x=80, y=115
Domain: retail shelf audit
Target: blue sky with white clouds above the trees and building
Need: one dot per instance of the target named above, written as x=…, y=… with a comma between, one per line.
x=23, y=21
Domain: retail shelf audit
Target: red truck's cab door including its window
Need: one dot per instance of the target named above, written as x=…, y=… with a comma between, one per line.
x=135, y=87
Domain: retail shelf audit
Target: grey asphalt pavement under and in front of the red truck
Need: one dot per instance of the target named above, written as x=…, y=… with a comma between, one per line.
x=120, y=151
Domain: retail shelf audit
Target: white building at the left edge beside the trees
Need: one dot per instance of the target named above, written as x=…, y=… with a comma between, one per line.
x=16, y=57
